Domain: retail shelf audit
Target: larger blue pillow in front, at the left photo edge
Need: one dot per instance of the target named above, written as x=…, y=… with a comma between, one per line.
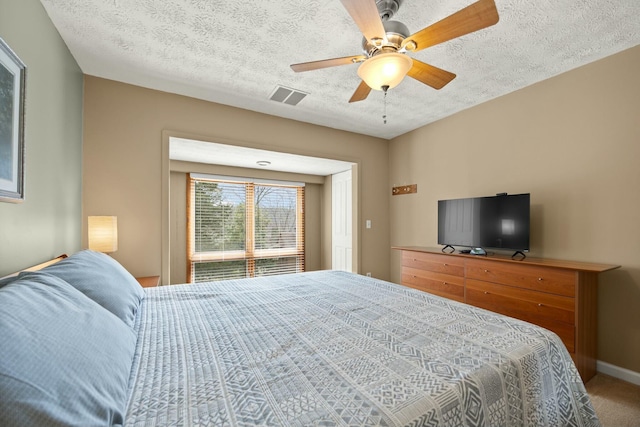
x=64, y=360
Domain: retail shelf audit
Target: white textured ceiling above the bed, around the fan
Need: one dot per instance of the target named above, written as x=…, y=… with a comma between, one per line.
x=238, y=52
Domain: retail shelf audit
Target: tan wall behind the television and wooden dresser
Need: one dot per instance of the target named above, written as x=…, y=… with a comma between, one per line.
x=573, y=142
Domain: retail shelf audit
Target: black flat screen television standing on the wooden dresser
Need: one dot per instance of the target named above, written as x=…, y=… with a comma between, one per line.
x=495, y=222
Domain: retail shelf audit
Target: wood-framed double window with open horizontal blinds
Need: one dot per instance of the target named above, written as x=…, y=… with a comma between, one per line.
x=240, y=229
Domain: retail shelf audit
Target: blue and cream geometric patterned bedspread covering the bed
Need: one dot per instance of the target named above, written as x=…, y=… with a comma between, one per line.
x=339, y=349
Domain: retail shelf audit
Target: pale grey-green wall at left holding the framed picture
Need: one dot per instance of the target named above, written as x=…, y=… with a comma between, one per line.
x=48, y=222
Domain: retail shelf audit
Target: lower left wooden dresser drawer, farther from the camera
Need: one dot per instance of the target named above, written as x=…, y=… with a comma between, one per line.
x=444, y=285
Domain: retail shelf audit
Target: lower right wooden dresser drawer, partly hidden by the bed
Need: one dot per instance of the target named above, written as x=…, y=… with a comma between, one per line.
x=553, y=312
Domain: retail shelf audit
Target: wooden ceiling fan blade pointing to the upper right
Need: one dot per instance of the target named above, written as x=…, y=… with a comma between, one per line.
x=477, y=16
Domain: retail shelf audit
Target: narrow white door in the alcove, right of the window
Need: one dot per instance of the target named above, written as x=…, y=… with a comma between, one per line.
x=341, y=222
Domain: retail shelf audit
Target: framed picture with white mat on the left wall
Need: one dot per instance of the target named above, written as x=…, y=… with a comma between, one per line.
x=12, y=87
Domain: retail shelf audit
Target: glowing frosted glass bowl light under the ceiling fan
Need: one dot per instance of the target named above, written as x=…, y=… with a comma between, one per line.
x=385, y=69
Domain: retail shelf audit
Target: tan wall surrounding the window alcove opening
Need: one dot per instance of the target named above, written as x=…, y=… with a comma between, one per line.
x=123, y=138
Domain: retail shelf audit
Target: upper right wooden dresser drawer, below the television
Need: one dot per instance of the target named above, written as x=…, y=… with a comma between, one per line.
x=545, y=279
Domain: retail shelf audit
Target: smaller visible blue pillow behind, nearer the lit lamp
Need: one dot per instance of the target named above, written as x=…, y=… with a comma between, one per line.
x=102, y=279
